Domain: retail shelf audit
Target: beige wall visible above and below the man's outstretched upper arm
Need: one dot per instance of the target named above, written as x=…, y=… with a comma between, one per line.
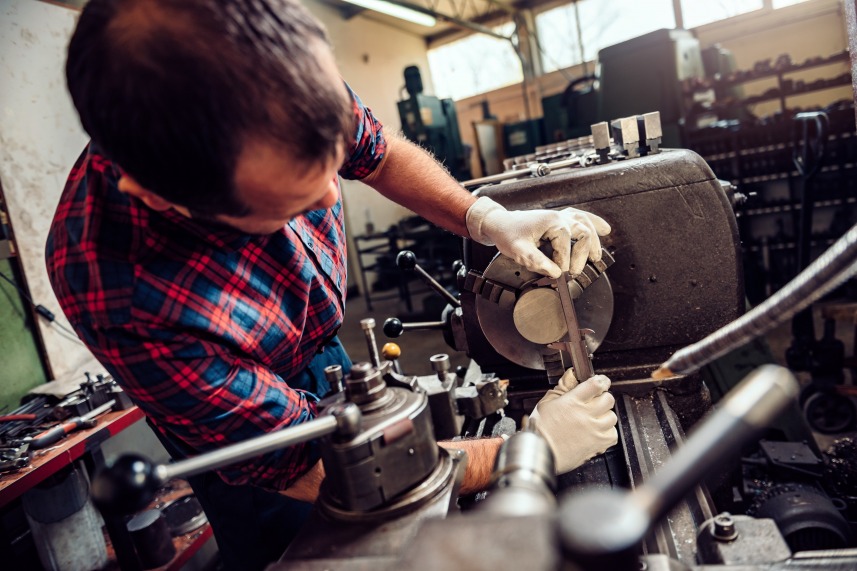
x=372, y=57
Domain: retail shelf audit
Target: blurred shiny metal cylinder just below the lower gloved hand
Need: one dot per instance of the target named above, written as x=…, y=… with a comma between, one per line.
x=523, y=479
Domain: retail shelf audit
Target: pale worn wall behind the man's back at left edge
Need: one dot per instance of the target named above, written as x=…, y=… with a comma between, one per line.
x=40, y=138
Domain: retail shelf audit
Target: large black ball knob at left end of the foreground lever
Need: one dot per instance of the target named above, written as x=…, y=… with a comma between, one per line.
x=127, y=486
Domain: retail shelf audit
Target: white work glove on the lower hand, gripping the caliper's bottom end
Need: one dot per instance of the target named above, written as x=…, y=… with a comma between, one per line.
x=577, y=420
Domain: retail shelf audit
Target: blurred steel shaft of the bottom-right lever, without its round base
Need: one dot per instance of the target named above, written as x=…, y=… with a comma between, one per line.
x=740, y=416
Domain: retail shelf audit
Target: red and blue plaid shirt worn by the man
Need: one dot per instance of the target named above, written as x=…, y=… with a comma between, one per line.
x=203, y=325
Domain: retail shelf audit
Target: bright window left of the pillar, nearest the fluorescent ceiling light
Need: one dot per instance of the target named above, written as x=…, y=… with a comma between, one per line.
x=474, y=65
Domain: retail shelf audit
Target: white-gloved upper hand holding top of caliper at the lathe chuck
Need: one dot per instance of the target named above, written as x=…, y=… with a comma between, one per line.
x=517, y=235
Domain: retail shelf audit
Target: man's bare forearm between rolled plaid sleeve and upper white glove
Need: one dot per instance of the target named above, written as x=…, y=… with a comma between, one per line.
x=409, y=176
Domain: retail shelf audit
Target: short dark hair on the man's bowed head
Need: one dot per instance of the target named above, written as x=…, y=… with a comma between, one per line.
x=171, y=89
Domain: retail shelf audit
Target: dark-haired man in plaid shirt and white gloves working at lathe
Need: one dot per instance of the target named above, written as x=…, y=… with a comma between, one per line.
x=199, y=251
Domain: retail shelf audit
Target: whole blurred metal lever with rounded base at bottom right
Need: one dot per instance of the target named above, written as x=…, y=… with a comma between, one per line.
x=602, y=528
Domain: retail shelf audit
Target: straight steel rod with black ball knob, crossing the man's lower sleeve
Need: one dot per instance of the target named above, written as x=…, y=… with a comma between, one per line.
x=296, y=434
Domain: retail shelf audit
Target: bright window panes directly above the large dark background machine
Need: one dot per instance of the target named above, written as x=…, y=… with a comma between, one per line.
x=602, y=24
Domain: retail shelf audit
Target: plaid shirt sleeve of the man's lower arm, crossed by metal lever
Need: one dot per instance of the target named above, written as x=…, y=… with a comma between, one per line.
x=203, y=397
